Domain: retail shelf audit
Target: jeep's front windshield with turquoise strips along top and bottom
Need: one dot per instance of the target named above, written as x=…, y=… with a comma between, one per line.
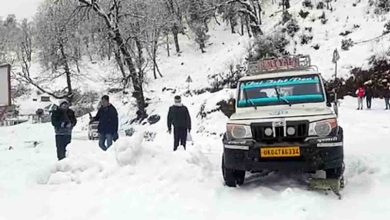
x=284, y=90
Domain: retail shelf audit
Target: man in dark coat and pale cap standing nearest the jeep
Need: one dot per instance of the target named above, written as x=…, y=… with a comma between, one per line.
x=179, y=117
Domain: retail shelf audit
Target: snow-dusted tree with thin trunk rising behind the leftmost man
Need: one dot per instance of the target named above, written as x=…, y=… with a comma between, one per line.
x=58, y=43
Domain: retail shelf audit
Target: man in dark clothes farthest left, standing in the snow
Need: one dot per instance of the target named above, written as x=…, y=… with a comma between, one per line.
x=63, y=119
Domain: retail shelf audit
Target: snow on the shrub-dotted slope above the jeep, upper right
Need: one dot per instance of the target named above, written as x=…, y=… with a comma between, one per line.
x=327, y=36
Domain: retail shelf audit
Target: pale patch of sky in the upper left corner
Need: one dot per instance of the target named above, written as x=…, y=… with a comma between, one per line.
x=21, y=8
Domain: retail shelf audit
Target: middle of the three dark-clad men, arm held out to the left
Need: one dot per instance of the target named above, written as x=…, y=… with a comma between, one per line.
x=108, y=123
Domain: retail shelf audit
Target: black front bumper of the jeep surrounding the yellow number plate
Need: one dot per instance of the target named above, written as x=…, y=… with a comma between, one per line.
x=315, y=154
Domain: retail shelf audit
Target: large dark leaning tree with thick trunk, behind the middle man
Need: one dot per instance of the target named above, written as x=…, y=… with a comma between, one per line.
x=116, y=15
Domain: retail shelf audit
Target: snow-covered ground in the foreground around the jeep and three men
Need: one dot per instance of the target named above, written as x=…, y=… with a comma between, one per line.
x=138, y=179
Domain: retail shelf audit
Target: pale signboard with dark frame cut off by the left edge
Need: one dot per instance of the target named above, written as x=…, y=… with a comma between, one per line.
x=5, y=85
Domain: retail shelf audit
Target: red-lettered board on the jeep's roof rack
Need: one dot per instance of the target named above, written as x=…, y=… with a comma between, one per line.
x=279, y=64
